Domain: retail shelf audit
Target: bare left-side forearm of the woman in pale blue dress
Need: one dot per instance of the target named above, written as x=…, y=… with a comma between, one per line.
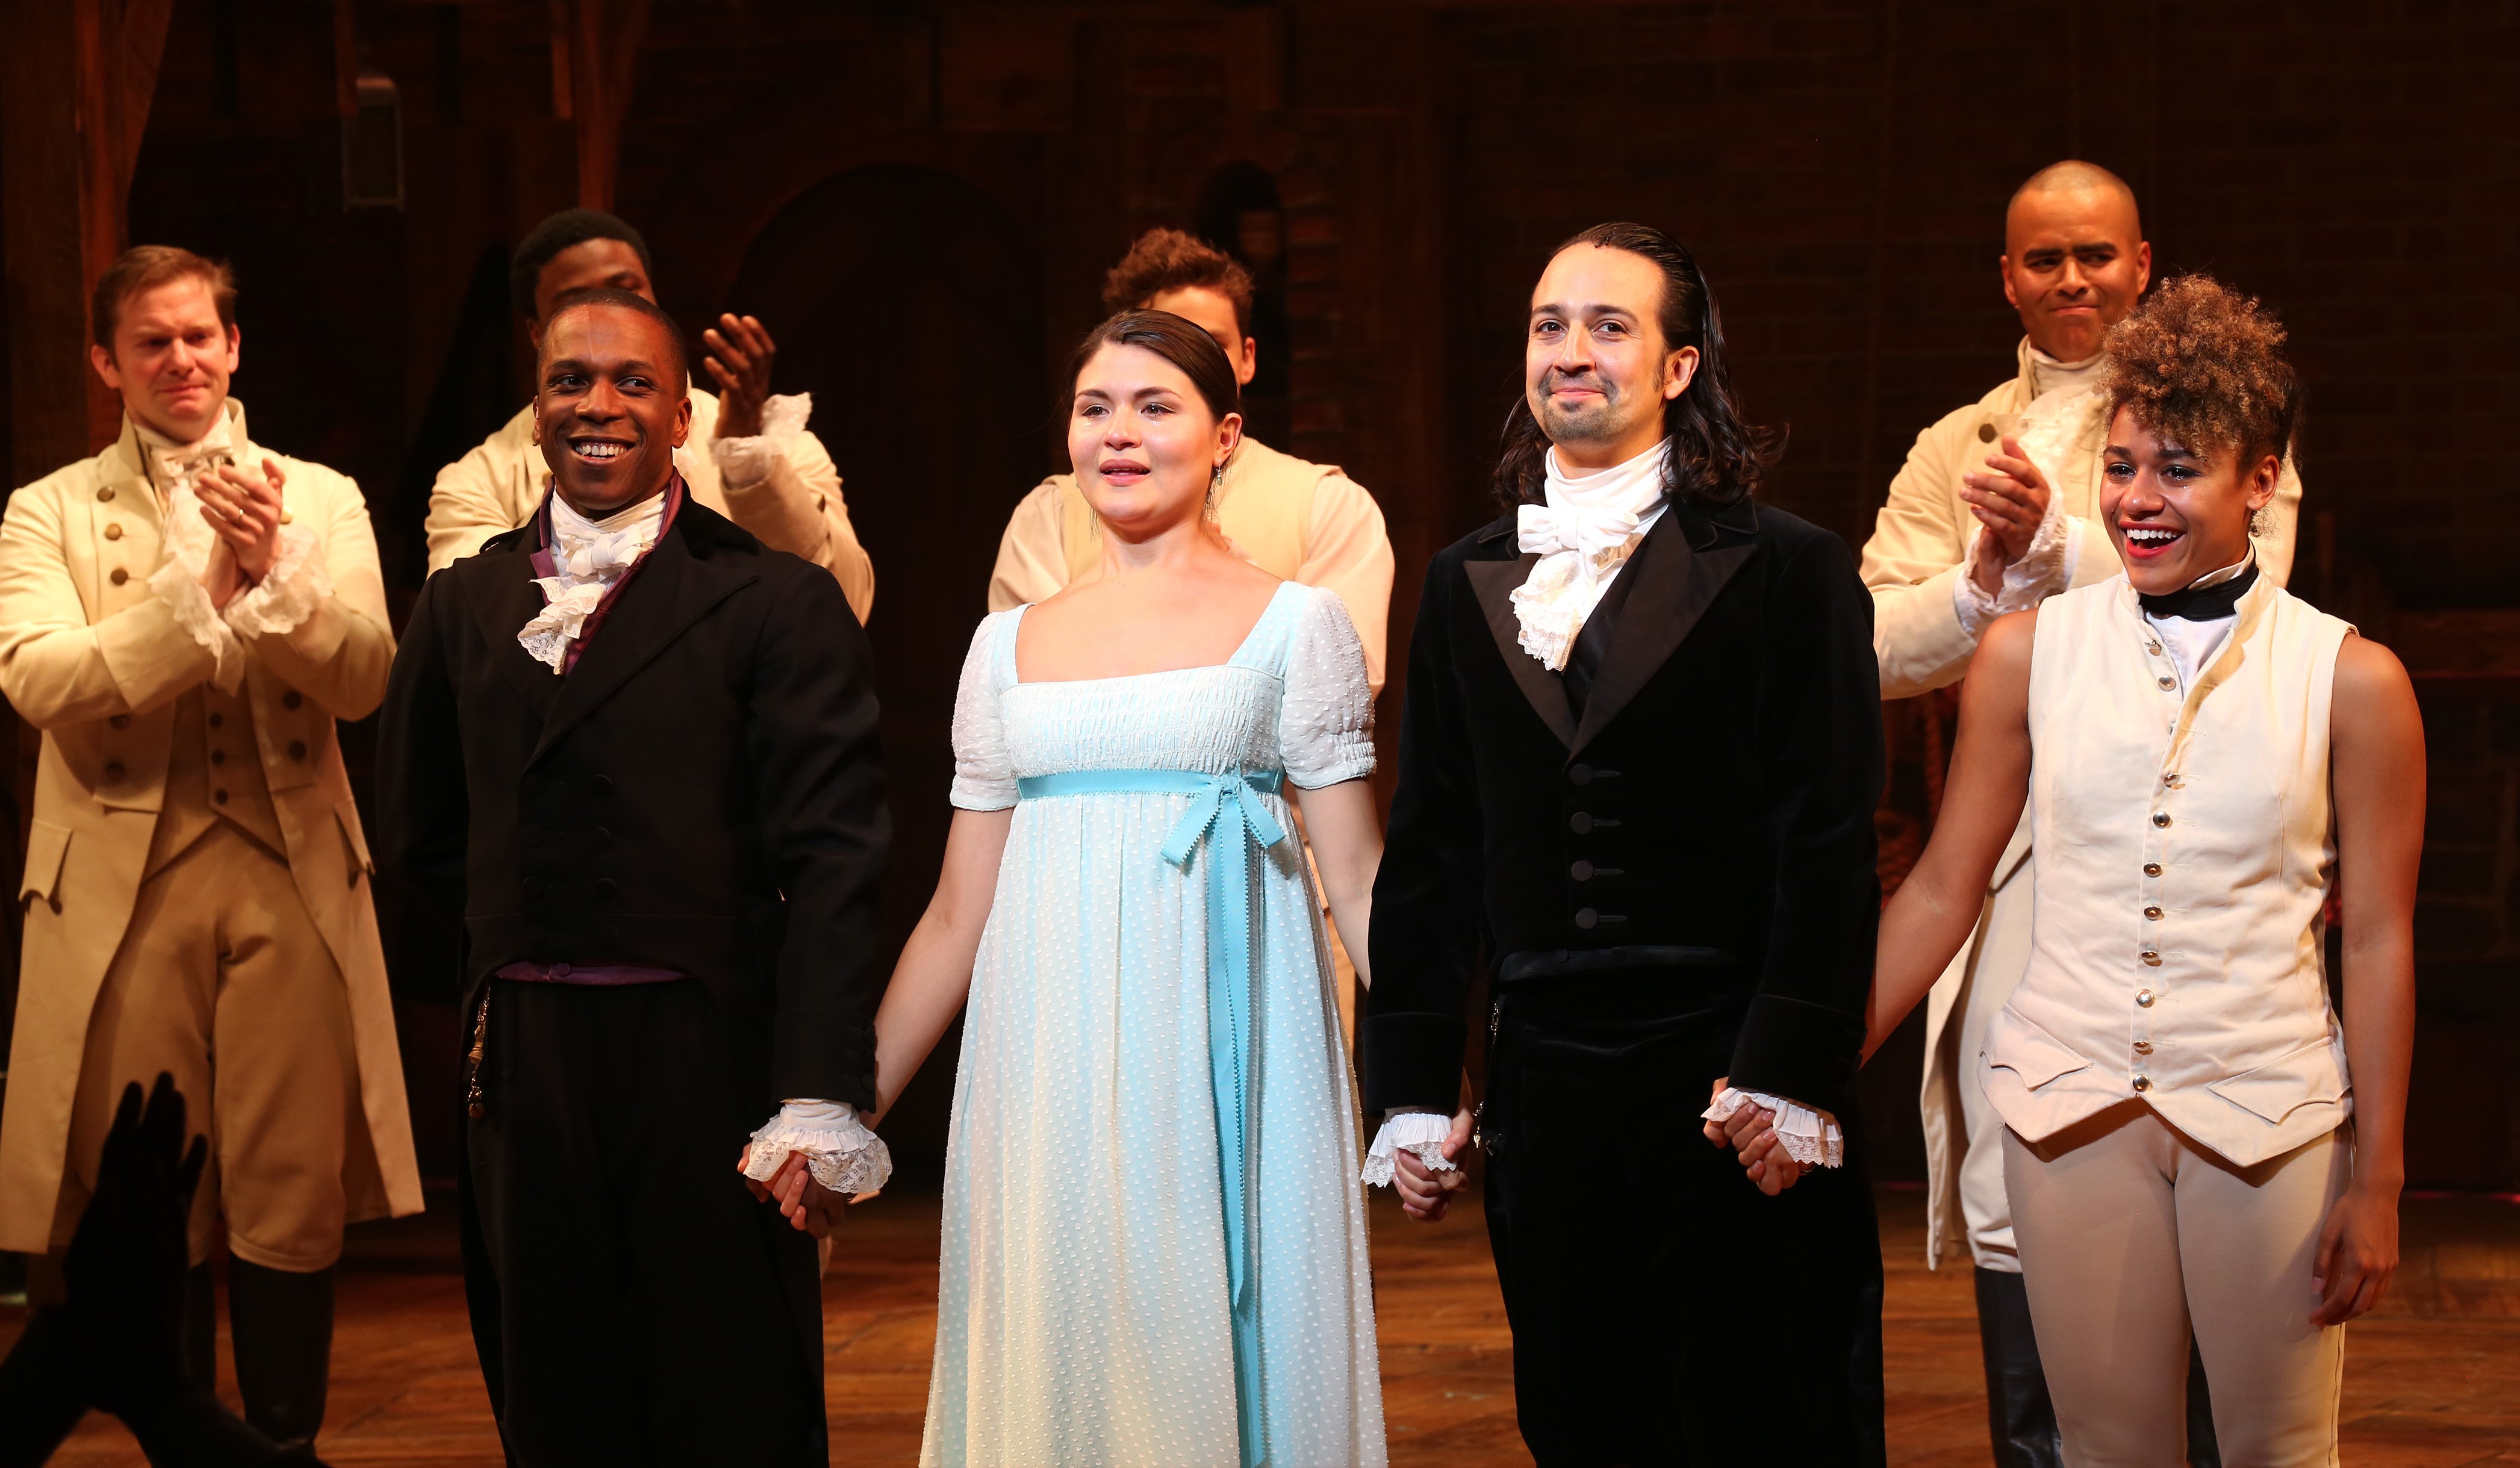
x=934, y=978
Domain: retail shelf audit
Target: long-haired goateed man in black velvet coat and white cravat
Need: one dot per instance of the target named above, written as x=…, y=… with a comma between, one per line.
x=1637, y=787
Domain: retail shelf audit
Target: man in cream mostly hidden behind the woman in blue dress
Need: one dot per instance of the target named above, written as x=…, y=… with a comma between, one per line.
x=1294, y=520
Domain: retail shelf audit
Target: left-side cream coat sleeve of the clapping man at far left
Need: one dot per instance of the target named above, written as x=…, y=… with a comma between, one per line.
x=54, y=663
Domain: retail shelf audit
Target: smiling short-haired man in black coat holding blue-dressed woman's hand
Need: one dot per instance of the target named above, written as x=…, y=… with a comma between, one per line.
x=634, y=754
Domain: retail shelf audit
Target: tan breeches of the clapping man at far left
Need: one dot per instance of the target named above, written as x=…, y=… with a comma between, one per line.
x=226, y=983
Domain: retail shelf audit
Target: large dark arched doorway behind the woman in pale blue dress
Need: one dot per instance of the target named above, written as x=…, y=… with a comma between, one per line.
x=911, y=306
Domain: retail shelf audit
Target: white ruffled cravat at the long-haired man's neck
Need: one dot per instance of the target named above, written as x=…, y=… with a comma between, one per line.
x=1584, y=535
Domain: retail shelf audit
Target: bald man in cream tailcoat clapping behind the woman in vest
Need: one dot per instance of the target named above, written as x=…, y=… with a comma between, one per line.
x=1995, y=512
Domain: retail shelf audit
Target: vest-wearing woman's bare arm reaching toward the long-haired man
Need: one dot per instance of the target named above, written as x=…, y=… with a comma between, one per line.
x=1942, y=900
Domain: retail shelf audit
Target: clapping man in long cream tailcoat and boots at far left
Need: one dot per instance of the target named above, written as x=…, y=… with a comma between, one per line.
x=185, y=618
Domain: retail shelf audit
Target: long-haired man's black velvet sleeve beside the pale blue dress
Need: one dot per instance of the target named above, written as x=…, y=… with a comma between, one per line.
x=1428, y=898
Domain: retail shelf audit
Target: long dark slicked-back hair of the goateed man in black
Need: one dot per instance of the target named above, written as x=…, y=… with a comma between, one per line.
x=1717, y=457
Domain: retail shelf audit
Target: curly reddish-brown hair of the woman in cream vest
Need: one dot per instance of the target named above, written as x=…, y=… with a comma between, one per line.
x=2204, y=366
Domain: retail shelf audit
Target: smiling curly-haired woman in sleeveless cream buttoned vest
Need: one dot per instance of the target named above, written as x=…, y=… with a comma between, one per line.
x=2201, y=754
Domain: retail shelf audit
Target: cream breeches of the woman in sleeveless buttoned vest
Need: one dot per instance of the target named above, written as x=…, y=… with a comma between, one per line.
x=2131, y=1238
